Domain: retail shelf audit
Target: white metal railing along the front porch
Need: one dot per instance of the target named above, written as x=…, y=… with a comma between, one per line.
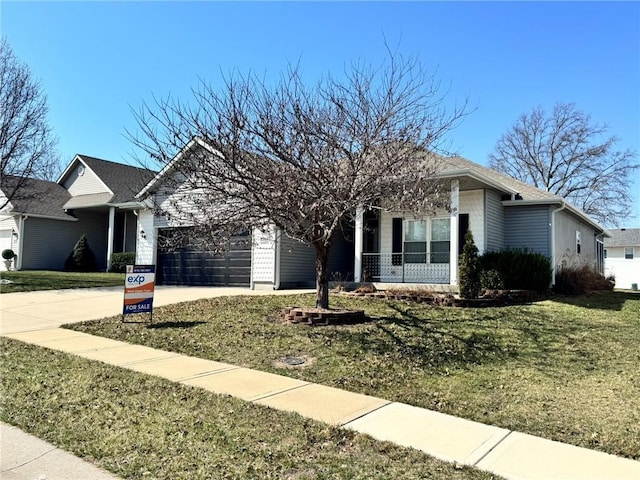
x=405, y=267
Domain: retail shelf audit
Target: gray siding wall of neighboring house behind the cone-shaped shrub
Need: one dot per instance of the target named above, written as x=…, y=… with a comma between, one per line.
x=48, y=243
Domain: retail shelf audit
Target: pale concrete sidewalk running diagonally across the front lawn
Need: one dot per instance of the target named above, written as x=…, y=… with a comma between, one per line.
x=510, y=454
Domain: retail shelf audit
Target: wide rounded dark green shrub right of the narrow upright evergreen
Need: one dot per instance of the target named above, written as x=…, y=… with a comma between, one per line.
x=519, y=269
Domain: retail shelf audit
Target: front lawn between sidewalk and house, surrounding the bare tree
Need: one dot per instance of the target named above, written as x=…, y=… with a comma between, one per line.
x=564, y=369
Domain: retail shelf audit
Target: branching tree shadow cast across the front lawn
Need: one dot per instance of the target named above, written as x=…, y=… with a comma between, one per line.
x=437, y=343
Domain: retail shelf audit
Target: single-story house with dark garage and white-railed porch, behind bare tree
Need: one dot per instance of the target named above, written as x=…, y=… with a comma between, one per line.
x=384, y=247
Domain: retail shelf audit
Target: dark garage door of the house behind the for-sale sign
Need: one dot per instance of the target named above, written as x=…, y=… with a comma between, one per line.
x=194, y=266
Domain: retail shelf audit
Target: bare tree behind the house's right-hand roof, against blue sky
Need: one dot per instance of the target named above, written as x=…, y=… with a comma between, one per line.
x=565, y=153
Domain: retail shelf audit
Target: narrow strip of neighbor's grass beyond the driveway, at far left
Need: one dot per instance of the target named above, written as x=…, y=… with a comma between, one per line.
x=31, y=280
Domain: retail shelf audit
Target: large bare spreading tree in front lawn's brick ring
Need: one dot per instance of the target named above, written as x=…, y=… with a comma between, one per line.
x=302, y=158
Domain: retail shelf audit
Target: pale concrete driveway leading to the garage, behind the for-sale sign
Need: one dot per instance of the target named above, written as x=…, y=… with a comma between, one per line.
x=26, y=311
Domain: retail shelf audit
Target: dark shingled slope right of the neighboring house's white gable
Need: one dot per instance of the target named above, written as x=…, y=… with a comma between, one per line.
x=125, y=181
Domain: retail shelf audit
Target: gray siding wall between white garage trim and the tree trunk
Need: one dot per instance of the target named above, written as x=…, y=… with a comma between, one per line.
x=297, y=264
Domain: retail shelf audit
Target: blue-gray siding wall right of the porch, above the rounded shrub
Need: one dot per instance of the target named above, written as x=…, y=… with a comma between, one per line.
x=528, y=227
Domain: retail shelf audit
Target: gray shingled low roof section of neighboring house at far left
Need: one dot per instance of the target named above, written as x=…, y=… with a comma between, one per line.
x=38, y=198
